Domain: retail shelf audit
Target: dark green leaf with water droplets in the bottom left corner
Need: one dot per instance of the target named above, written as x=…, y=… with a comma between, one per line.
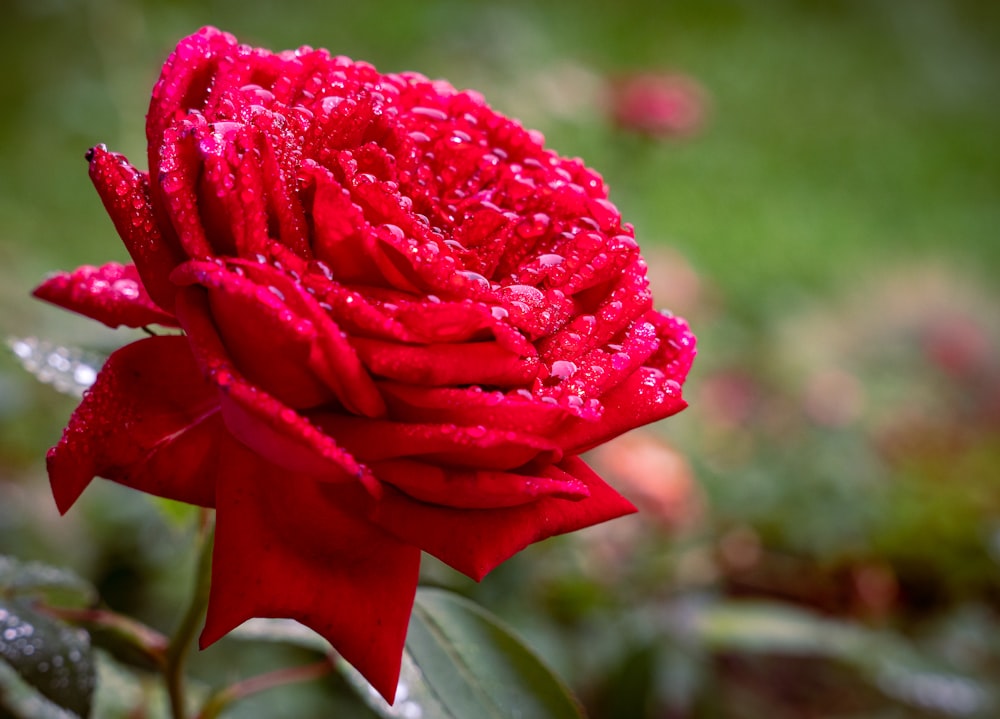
x=49, y=655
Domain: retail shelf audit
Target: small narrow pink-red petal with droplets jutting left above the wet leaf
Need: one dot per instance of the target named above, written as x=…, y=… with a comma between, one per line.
x=112, y=294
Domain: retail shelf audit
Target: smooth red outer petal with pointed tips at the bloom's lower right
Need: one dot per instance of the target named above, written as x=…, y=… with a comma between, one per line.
x=476, y=541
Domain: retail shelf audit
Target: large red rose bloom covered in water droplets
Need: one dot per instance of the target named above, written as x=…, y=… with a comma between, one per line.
x=403, y=320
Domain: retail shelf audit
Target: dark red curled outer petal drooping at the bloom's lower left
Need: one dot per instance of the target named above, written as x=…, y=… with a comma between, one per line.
x=150, y=421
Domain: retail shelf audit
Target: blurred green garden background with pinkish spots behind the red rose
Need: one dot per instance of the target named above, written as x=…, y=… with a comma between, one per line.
x=821, y=529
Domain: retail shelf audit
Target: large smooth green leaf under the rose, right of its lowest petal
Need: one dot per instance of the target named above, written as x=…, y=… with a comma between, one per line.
x=461, y=661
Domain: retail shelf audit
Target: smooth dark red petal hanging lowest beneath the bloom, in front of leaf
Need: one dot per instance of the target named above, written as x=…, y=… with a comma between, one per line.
x=295, y=548
